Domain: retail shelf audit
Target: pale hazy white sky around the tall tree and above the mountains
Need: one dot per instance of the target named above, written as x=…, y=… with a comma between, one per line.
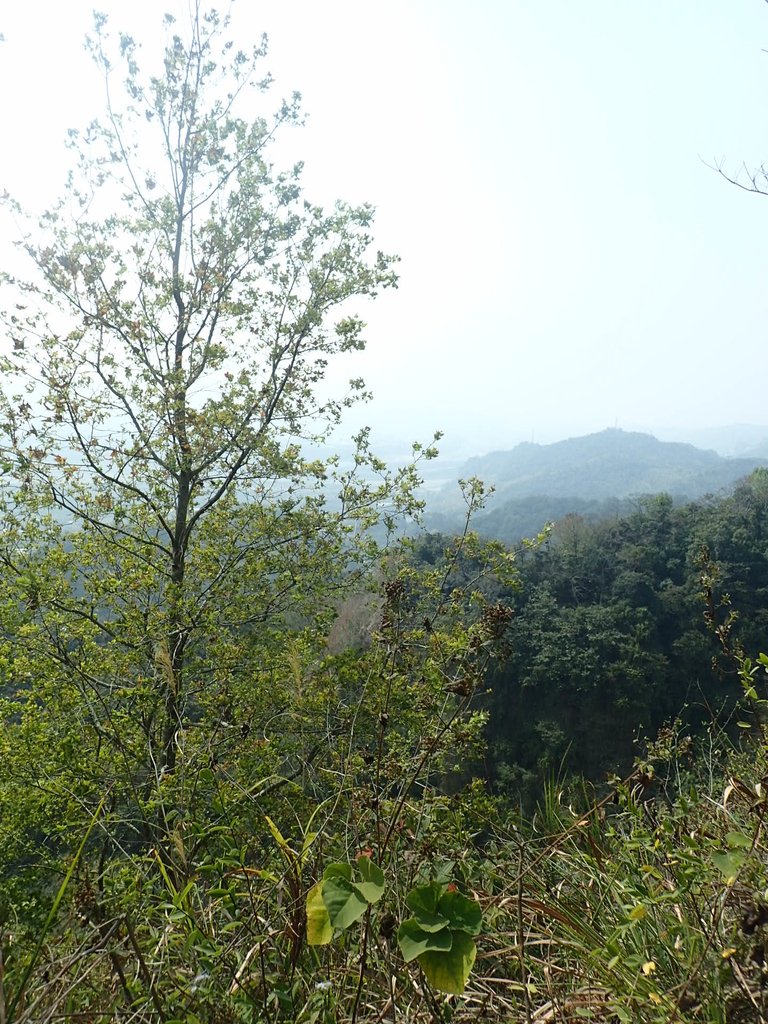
x=569, y=261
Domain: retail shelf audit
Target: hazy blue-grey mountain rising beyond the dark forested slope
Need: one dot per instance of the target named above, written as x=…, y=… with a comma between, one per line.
x=591, y=476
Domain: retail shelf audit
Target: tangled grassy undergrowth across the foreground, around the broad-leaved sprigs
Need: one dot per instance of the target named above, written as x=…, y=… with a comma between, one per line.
x=642, y=907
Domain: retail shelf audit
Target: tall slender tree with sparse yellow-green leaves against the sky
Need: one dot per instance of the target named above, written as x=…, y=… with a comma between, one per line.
x=165, y=513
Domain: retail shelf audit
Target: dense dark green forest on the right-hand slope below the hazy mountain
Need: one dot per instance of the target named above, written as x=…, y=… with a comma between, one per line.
x=609, y=639
